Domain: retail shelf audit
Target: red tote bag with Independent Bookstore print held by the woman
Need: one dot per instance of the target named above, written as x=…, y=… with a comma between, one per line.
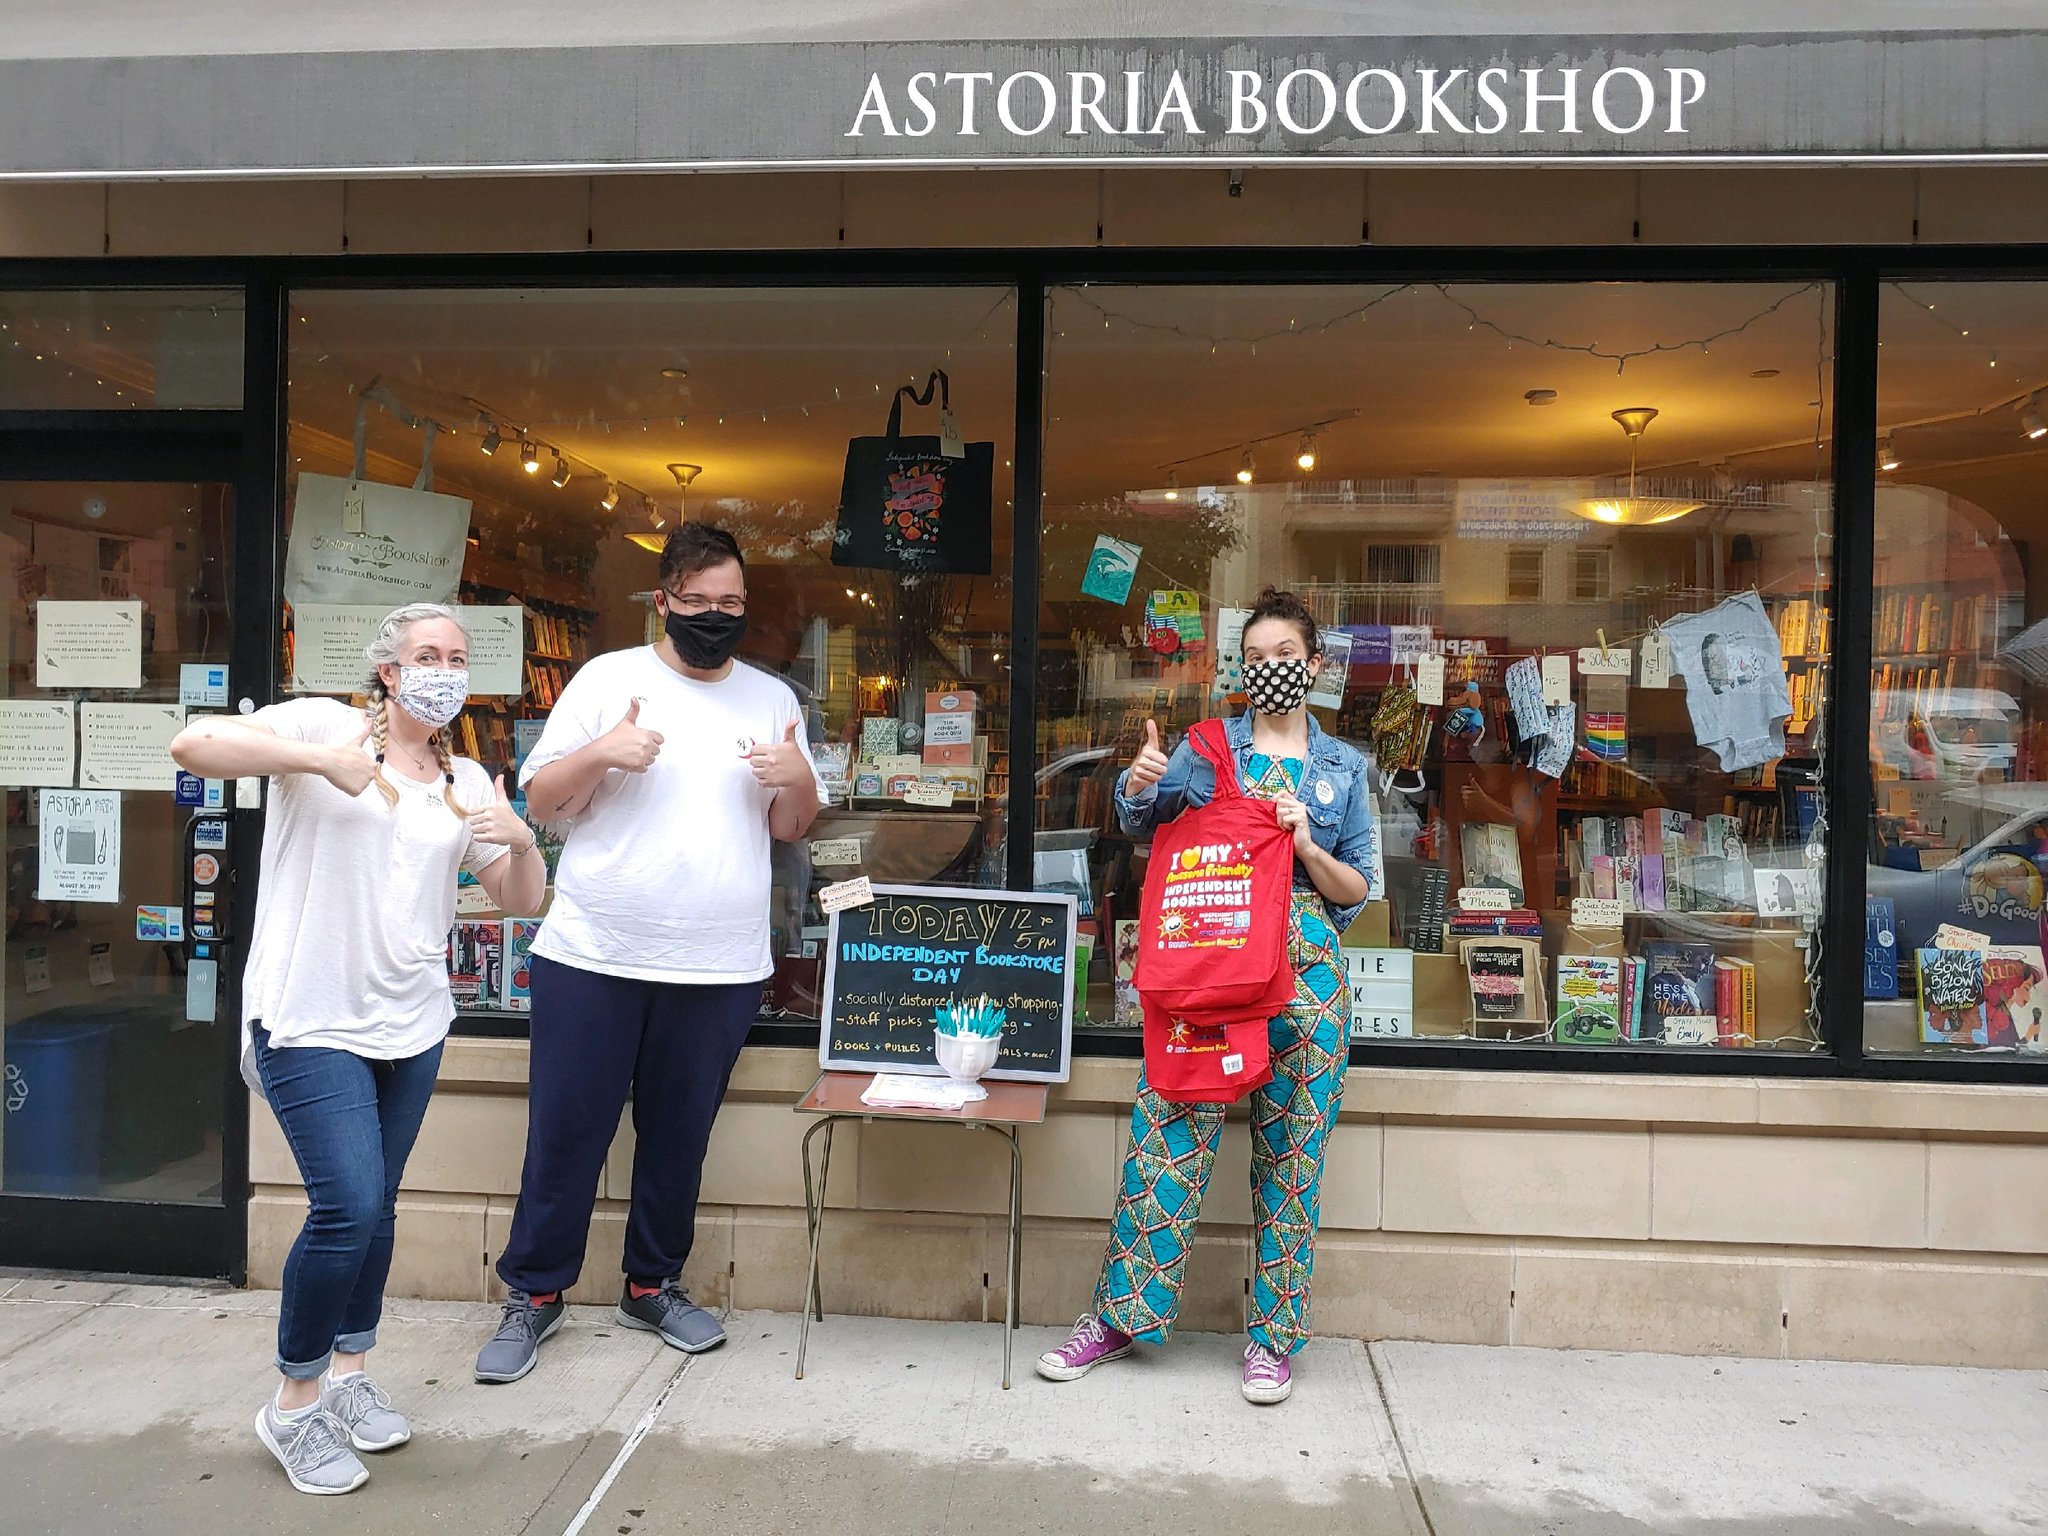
x=1211, y=968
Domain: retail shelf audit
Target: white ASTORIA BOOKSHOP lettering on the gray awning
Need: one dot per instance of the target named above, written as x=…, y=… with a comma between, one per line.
x=1304, y=105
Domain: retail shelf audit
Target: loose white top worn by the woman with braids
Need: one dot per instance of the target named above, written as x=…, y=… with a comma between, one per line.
x=351, y=945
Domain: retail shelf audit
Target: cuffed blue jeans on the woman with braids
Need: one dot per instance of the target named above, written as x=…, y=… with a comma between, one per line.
x=351, y=1125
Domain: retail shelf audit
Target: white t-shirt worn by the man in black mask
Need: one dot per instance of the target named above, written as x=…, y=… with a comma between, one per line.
x=665, y=876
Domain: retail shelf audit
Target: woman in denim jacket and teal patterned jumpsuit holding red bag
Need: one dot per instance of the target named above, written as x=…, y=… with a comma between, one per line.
x=1318, y=787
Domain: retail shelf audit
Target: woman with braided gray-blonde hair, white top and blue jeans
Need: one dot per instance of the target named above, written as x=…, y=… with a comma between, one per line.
x=345, y=998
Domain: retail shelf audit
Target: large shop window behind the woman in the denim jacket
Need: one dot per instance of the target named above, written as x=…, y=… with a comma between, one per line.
x=1572, y=554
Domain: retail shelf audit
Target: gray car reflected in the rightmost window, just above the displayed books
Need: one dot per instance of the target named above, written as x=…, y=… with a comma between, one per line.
x=1996, y=886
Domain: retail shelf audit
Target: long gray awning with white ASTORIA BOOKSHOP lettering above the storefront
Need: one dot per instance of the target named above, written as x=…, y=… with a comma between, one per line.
x=394, y=87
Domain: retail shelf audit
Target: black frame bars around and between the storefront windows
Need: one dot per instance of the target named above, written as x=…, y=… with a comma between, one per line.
x=1854, y=271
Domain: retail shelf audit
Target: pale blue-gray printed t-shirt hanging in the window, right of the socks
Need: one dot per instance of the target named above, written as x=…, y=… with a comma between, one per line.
x=1736, y=681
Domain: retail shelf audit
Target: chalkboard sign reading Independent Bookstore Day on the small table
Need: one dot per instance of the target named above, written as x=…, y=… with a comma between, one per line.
x=921, y=947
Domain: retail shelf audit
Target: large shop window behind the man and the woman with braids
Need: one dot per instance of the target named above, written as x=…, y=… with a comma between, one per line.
x=562, y=435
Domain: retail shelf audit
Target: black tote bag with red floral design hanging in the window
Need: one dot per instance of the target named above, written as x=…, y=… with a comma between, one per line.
x=906, y=507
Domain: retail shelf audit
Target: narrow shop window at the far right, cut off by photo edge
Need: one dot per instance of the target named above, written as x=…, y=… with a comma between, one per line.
x=1959, y=673
